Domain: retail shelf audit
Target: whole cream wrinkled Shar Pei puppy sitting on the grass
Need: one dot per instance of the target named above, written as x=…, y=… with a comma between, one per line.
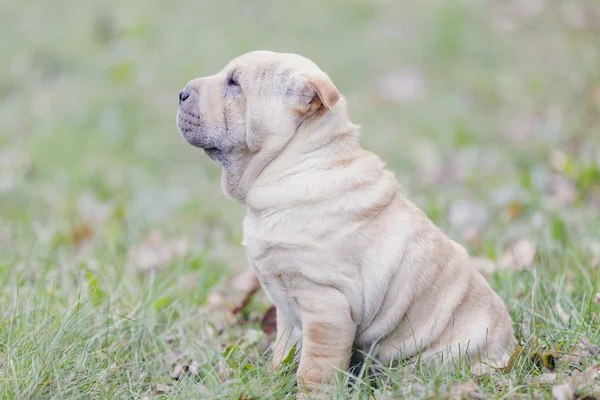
x=346, y=258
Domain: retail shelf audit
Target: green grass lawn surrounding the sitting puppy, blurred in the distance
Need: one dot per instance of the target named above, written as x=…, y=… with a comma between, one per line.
x=497, y=139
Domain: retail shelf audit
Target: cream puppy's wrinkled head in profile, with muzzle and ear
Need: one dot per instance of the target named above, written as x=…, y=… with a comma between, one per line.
x=256, y=103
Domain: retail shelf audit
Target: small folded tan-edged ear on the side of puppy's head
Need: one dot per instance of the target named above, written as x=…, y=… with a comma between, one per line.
x=316, y=91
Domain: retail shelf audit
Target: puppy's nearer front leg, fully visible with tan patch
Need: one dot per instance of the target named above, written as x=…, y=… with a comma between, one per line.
x=327, y=335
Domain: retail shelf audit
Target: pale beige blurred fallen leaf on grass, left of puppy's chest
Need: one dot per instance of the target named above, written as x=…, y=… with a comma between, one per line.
x=156, y=252
